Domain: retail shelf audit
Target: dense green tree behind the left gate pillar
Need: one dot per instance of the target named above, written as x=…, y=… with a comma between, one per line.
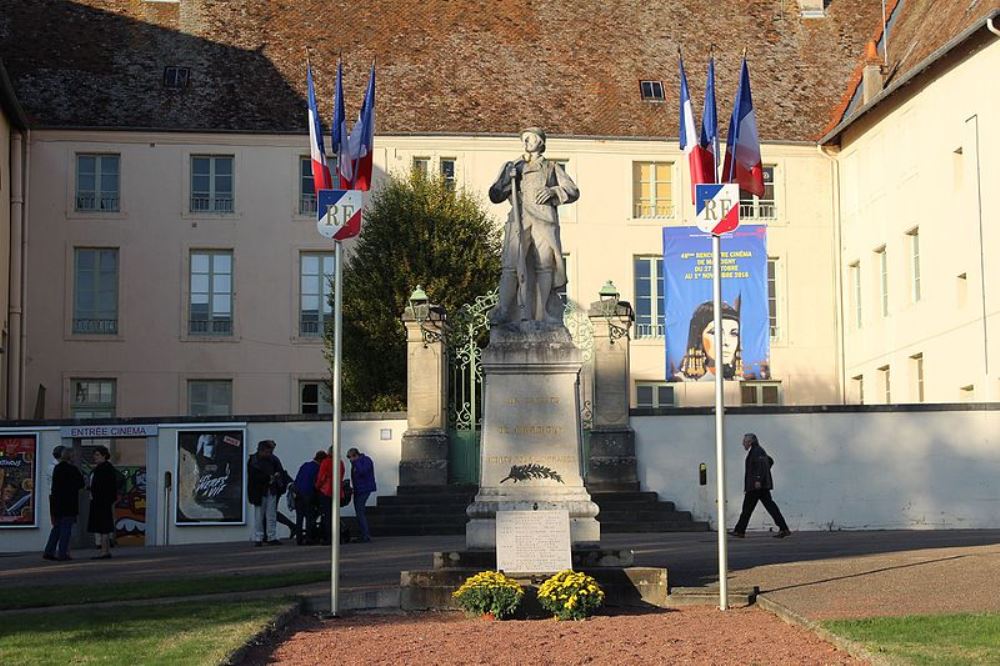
x=417, y=230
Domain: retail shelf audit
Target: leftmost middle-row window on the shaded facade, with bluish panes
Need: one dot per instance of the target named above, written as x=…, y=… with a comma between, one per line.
x=95, y=291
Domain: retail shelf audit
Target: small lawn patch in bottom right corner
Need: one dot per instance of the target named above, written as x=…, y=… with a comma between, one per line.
x=967, y=638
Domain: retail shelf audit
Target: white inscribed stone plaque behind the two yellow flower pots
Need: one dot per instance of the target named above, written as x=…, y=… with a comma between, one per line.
x=533, y=541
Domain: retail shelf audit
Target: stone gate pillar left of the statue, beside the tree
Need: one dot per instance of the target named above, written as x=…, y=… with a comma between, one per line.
x=424, y=459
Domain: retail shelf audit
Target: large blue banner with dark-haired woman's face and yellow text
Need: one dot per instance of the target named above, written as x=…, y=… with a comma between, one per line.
x=689, y=312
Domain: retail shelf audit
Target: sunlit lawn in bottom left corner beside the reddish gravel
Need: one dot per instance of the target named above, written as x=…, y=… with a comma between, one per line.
x=176, y=633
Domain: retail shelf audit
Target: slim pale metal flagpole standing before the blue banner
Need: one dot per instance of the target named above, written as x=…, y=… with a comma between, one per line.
x=720, y=415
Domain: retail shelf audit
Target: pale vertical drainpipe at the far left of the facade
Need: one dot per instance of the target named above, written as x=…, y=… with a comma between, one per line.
x=15, y=340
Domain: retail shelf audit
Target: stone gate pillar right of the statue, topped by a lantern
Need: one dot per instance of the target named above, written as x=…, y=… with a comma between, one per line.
x=612, y=463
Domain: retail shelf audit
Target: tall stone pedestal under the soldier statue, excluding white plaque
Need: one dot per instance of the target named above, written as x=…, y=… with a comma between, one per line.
x=531, y=433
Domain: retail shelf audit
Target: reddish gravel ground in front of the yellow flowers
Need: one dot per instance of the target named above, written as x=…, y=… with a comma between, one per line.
x=693, y=635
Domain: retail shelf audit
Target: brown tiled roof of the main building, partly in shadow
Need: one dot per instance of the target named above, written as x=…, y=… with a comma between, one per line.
x=454, y=66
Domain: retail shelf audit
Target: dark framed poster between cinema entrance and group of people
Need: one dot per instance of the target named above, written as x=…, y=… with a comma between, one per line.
x=209, y=473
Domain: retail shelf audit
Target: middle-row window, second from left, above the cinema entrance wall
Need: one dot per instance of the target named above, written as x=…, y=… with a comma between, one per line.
x=211, y=307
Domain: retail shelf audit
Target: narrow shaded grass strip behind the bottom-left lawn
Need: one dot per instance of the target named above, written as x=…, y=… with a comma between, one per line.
x=60, y=595
